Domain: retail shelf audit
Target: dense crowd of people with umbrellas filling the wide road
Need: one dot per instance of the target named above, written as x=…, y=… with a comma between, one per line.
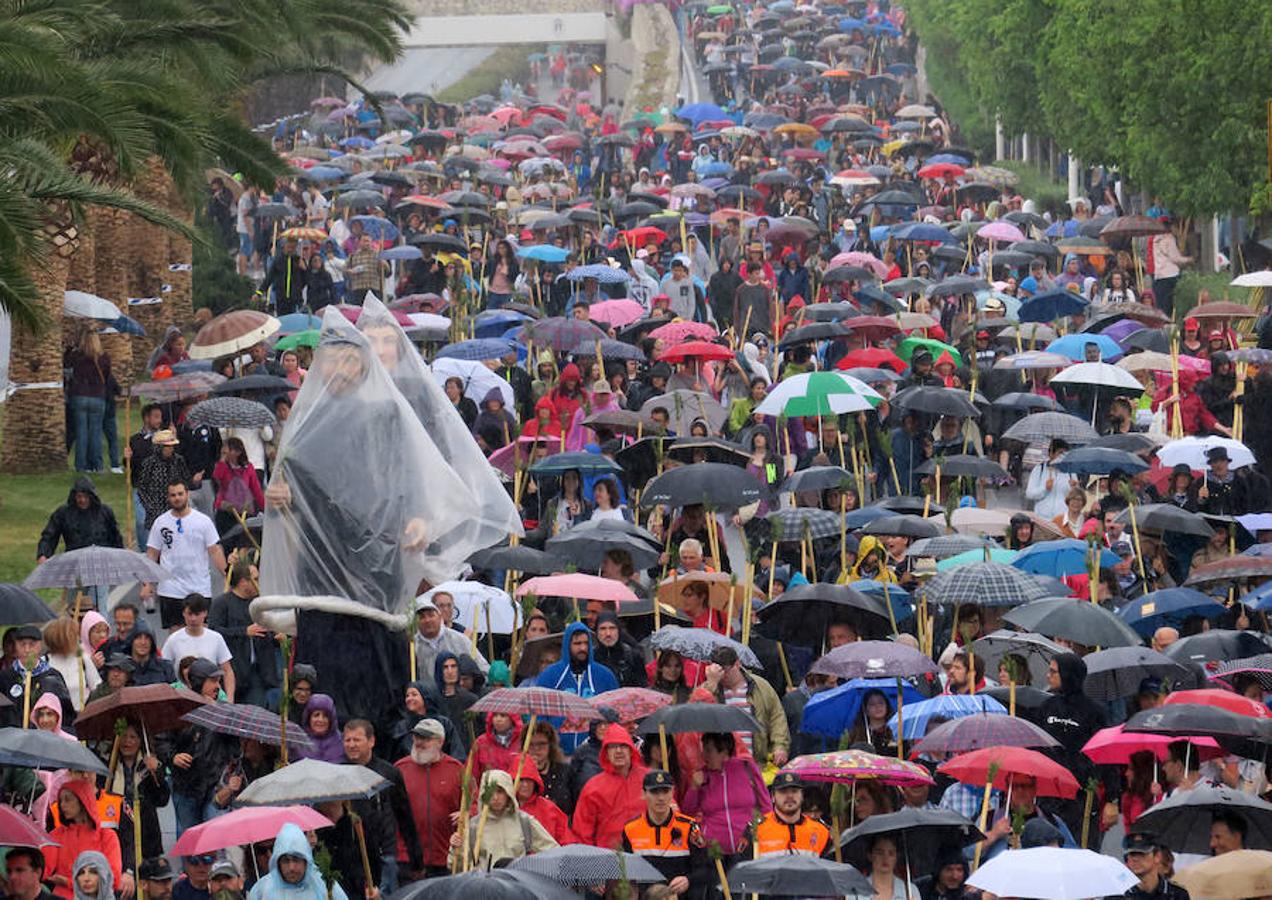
x=796, y=411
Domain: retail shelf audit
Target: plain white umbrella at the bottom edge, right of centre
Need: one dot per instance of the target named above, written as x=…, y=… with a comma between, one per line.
x=1054, y=874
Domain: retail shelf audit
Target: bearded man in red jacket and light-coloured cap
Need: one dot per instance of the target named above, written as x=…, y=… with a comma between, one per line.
x=434, y=785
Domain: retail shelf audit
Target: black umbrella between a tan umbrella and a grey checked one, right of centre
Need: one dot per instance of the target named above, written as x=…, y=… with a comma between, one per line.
x=803, y=615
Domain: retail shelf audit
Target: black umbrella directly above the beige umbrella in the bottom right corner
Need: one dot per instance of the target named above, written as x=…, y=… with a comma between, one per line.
x=1182, y=822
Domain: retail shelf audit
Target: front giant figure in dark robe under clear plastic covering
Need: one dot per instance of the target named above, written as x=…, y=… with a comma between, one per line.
x=362, y=512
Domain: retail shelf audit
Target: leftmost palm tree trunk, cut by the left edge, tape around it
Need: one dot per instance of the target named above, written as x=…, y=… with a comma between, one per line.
x=35, y=419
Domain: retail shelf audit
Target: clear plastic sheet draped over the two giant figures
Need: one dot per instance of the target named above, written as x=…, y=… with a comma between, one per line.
x=376, y=507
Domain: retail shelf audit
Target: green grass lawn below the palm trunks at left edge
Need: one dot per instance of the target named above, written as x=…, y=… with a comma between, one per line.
x=27, y=501
